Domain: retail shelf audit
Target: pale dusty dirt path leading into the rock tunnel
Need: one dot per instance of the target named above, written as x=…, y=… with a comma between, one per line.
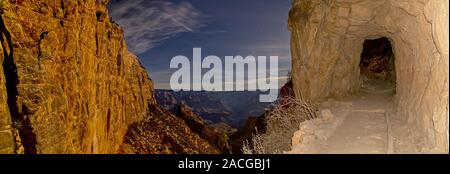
x=360, y=124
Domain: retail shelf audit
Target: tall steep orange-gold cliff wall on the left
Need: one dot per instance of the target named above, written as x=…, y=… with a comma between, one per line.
x=68, y=84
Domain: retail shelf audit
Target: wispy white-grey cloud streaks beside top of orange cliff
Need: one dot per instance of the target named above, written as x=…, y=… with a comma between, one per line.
x=148, y=24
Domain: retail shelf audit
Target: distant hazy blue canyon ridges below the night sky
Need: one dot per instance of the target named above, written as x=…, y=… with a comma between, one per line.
x=230, y=107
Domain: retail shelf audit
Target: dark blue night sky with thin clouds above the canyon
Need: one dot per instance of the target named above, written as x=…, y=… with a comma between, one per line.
x=157, y=30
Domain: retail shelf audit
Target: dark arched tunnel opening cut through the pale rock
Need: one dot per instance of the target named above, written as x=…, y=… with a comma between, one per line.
x=377, y=60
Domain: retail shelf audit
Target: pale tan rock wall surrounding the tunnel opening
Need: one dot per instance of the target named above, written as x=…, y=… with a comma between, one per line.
x=327, y=41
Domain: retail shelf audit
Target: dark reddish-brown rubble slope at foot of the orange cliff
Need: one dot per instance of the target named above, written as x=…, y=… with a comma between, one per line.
x=163, y=133
